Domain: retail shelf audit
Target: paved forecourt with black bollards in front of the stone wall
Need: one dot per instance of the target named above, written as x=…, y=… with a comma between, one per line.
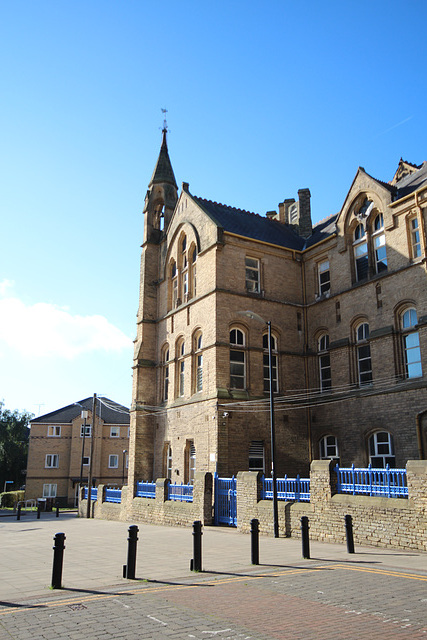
x=373, y=593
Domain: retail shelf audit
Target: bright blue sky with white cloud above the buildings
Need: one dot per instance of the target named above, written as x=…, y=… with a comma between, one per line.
x=263, y=98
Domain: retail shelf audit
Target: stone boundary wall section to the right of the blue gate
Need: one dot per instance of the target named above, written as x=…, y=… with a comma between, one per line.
x=380, y=522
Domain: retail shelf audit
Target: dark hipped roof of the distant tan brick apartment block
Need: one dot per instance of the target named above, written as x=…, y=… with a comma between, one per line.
x=111, y=412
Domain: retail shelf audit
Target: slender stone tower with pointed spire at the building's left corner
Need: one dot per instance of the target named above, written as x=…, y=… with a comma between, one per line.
x=160, y=202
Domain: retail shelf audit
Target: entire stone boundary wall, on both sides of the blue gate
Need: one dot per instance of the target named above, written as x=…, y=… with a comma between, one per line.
x=381, y=522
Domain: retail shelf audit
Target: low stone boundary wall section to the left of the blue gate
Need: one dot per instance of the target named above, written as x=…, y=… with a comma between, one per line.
x=158, y=510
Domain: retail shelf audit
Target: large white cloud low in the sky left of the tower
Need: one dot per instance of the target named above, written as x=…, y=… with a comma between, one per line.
x=46, y=330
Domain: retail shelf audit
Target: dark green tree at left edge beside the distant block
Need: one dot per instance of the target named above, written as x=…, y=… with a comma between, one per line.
x=14, y=436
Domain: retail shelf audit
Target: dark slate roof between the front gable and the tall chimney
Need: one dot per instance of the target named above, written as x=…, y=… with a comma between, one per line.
x=251, y=225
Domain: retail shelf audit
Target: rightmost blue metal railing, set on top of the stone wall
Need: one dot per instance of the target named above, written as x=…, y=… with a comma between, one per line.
x=388, y=483
